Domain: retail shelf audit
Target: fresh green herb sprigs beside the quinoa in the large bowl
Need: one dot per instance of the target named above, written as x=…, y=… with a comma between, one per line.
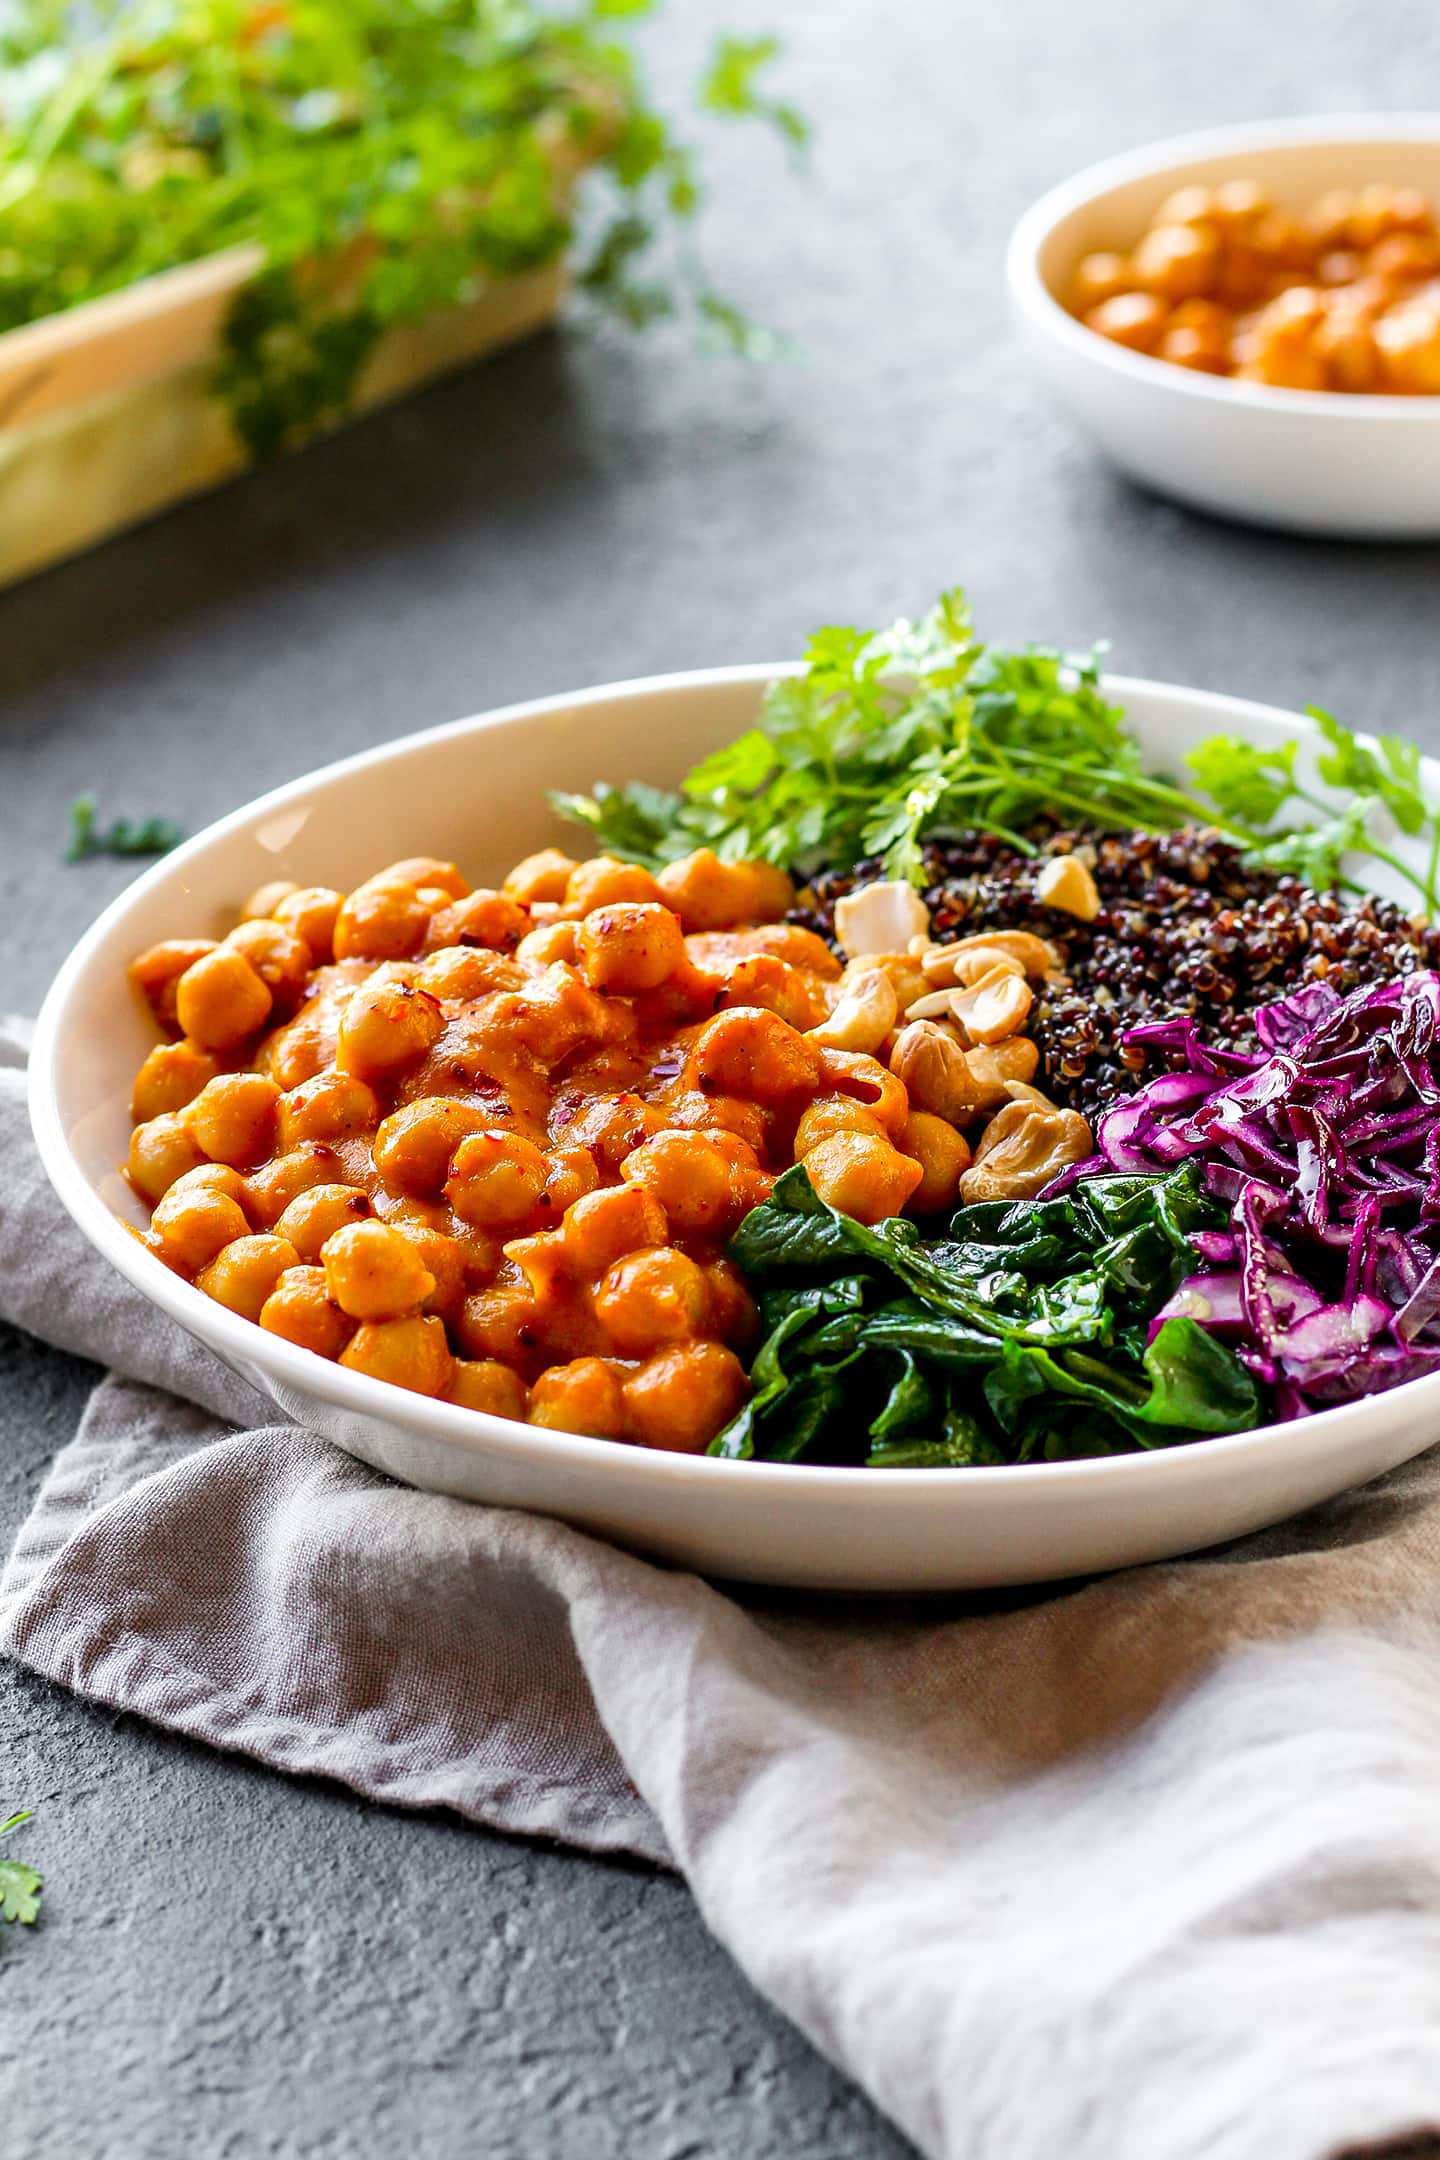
x=895, y=738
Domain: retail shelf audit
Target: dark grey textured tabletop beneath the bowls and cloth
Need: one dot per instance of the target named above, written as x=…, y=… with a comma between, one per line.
x=234, y=1965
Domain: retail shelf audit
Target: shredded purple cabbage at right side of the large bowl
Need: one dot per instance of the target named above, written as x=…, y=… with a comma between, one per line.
x=1327, y=1150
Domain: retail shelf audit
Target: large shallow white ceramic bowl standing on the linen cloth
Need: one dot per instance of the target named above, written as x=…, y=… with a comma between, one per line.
x=476, y=792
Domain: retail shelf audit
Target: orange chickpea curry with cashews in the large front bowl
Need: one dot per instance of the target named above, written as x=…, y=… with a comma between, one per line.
x=493, y=1146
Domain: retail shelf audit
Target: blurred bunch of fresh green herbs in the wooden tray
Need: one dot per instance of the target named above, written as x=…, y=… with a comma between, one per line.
x=388, y=159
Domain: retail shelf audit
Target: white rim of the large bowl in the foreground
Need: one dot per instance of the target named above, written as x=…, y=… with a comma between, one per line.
x=241, y=1342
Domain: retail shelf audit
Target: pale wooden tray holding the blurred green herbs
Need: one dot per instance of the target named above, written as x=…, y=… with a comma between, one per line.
x=107, y=414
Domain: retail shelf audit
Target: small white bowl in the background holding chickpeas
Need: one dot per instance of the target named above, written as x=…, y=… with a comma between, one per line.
x=1307, y=461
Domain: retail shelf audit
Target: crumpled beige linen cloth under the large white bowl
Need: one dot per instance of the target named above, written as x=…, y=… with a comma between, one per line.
x=1135, y=1872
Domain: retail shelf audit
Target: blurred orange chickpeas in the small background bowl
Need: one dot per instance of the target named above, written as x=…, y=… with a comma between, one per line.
x=1344, y=297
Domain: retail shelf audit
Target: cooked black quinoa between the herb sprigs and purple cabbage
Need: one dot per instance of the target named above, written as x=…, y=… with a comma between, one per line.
x=1184, y=928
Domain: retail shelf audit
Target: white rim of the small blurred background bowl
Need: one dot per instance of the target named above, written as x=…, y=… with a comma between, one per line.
x=1171, y=154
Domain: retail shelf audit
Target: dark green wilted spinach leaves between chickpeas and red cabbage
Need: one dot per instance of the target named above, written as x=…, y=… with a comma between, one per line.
x=1018, y=1338
